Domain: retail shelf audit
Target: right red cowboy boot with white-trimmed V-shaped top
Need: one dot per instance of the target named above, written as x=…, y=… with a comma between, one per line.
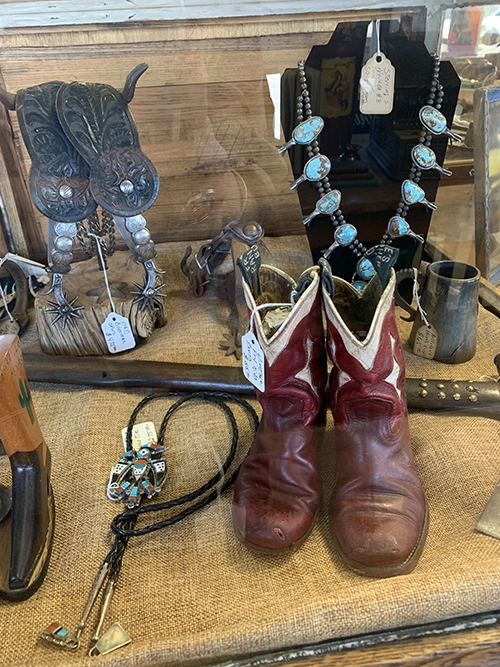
x=378, y=511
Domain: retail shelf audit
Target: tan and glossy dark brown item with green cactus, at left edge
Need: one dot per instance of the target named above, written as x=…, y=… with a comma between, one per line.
x=26, y=533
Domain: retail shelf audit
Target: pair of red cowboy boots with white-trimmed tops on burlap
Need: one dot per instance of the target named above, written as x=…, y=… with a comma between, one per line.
x=378, y=512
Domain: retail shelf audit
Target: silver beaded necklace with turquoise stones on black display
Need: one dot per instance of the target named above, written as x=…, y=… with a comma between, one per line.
x=423, y=158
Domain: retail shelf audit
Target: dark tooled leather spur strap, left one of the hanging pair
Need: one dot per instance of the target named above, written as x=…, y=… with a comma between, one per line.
x=59, y=177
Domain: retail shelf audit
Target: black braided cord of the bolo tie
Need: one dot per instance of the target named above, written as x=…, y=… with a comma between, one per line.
x=123, y=525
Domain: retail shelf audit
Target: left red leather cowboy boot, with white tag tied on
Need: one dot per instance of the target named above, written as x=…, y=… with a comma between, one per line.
x=278, y=489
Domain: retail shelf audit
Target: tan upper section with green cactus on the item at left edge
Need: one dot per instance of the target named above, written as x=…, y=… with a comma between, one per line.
x=19, y=429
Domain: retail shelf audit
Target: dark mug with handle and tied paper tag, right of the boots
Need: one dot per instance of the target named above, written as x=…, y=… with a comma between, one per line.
x=445, y=325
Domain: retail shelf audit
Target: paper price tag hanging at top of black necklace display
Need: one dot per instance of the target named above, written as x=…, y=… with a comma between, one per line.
x=376, y=84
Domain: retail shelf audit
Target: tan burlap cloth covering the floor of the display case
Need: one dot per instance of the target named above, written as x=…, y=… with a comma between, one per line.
x=192, y=593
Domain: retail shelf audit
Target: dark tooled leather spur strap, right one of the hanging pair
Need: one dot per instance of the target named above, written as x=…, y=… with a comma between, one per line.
x=98, y=122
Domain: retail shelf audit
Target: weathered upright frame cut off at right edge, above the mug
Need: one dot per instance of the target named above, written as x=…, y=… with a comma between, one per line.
x=487, y=181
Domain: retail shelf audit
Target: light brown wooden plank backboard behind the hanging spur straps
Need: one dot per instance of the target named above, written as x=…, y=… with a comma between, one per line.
x=203, y=110
